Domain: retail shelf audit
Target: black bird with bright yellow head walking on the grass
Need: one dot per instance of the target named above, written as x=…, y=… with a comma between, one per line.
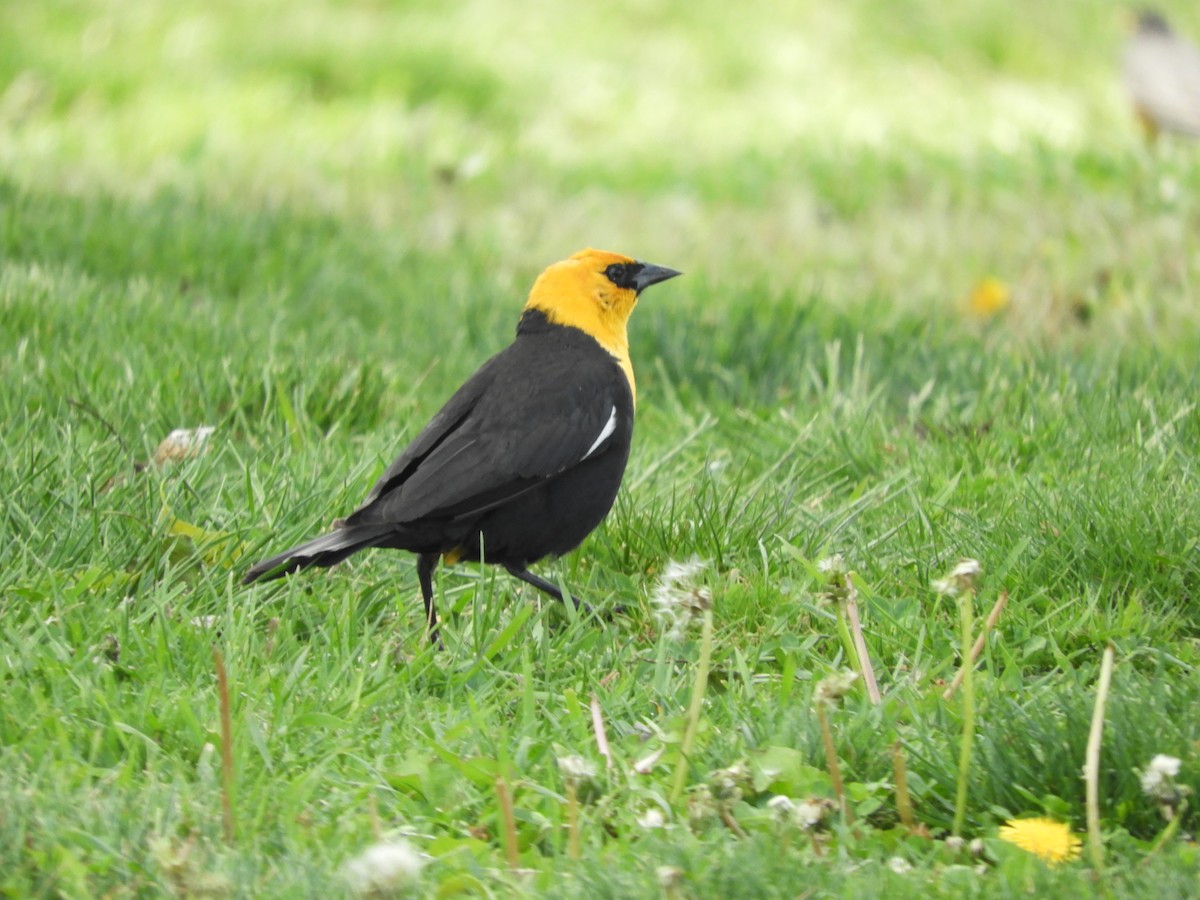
x=525, y=460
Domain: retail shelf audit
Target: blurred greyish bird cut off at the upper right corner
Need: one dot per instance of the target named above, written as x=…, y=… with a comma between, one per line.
x=1162, y=74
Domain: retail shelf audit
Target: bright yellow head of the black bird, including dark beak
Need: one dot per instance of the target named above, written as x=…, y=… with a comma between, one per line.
x=596, y=292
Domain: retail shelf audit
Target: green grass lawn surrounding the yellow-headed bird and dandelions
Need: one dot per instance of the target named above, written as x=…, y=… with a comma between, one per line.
x=305, y=226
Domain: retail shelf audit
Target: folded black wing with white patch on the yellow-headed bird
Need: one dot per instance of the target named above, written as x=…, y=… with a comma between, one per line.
x=531, y=413
